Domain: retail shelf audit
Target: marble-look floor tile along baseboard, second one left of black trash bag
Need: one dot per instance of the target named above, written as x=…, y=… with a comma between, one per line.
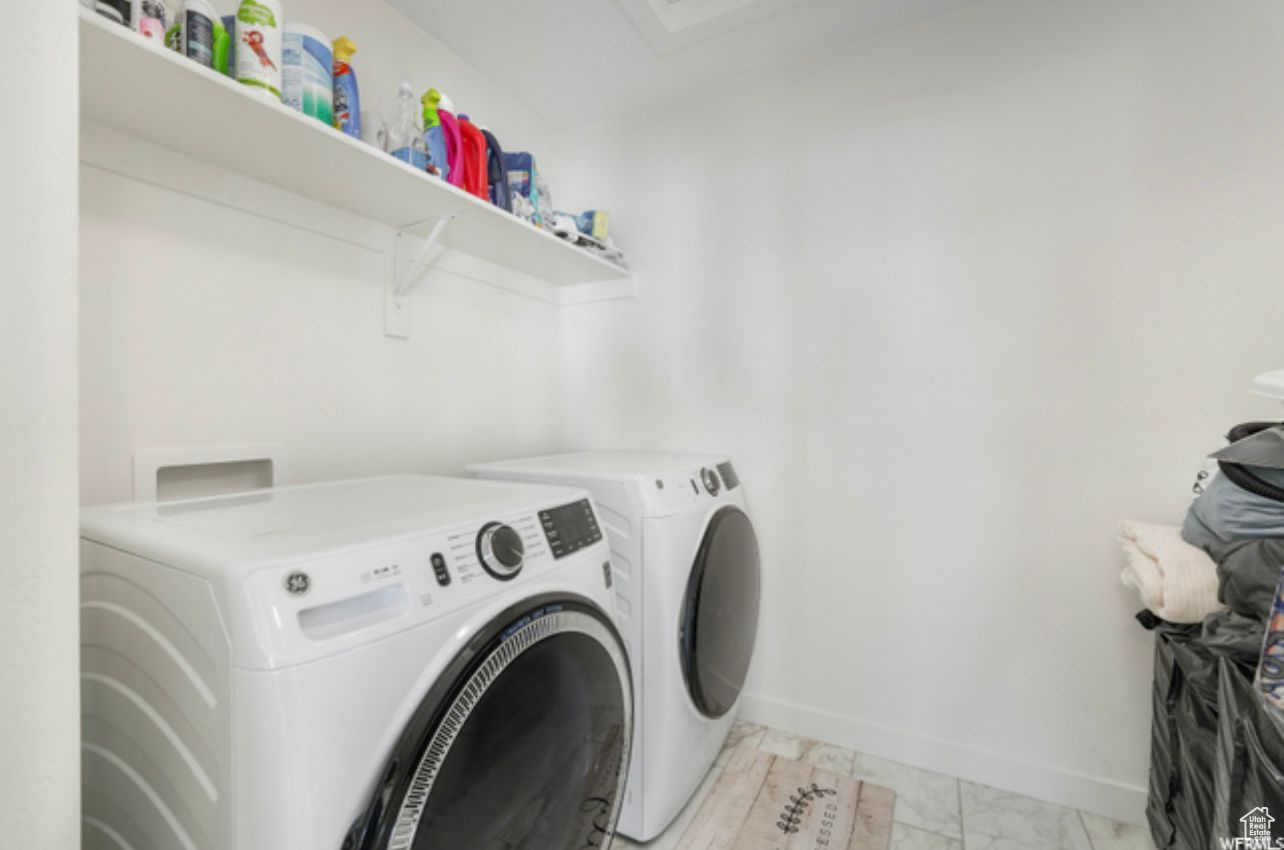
x=997, y=820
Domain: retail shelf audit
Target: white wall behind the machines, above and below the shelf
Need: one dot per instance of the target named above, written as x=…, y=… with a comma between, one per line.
x=206, y=324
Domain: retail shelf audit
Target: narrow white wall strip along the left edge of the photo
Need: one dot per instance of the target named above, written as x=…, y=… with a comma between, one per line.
x=39, y=688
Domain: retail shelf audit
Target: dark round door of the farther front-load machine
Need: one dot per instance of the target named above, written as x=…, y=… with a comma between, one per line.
x=720, y=614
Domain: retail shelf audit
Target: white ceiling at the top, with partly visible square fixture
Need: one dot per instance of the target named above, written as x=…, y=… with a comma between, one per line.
x=580, y=61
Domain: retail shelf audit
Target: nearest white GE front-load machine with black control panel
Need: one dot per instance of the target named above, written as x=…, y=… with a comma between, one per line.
x=390, y=664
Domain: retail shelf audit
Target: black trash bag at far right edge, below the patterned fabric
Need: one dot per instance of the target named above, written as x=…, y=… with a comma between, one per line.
x=1250, y=771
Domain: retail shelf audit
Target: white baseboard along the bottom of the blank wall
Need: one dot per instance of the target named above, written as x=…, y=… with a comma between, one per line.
x=1116, y=801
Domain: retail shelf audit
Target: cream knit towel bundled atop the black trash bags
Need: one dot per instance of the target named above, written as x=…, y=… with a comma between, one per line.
x=1176, y=580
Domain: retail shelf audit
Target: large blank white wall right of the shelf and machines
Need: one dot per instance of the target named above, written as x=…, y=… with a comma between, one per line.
x=957, y=299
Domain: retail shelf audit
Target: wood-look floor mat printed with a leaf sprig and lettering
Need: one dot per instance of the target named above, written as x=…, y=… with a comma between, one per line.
x=763, y=802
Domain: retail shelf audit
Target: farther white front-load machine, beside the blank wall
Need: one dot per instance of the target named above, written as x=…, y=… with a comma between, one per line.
x=688, y=585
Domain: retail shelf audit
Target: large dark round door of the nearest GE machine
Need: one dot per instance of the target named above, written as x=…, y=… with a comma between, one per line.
x=523, y=745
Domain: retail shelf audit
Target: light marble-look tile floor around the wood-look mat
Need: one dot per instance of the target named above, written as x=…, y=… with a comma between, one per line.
x=934, y=812
